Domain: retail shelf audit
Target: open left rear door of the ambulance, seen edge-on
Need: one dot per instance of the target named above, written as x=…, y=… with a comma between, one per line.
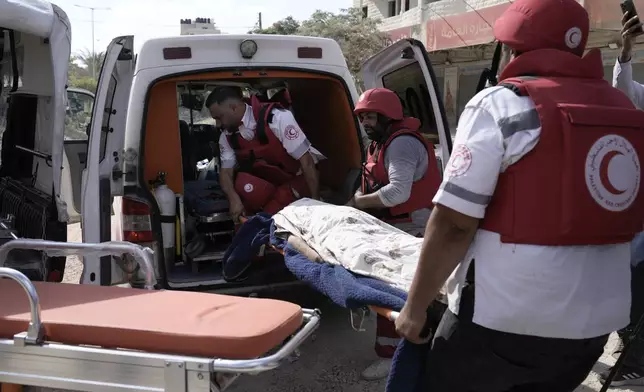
x=104, y=155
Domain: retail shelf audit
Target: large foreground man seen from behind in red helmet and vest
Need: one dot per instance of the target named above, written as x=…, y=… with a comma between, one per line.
x=533, y=221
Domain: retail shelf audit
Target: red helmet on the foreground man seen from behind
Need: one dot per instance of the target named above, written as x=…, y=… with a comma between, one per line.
x=544, y=24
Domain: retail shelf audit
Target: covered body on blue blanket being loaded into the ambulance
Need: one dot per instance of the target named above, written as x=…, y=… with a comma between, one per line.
x=358, y=271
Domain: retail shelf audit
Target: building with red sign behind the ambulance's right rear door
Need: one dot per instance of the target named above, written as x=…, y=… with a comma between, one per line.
x=458, y=35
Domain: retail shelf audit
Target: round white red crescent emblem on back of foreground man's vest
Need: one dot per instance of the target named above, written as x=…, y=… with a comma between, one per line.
x=613, y=173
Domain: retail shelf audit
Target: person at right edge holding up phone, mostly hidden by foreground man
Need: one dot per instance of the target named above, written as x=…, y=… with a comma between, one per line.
x=632, y=370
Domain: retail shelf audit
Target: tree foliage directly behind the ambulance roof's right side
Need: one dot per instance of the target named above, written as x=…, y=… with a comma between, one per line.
x=358, y=36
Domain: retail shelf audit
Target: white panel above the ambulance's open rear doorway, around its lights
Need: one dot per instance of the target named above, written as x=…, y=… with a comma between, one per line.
x=222, y=49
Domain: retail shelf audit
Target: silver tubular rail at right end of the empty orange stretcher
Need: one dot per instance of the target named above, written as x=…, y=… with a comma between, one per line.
x=311, y=320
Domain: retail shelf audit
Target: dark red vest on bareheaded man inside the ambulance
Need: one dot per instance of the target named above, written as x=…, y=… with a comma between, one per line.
x=264, y=155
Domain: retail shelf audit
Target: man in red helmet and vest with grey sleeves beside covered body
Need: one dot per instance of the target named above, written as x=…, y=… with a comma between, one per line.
x=399, y=180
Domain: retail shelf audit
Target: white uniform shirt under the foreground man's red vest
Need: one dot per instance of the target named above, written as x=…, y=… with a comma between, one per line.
x=572, y=292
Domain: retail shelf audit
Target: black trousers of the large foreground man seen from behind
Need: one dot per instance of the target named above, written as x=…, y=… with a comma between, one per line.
x=469, y=358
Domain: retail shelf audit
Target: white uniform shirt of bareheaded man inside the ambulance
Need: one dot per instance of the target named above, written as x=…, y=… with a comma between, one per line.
x=284, y=127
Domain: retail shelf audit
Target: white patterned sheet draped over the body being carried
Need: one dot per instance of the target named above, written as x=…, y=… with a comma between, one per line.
x=354, y=239
